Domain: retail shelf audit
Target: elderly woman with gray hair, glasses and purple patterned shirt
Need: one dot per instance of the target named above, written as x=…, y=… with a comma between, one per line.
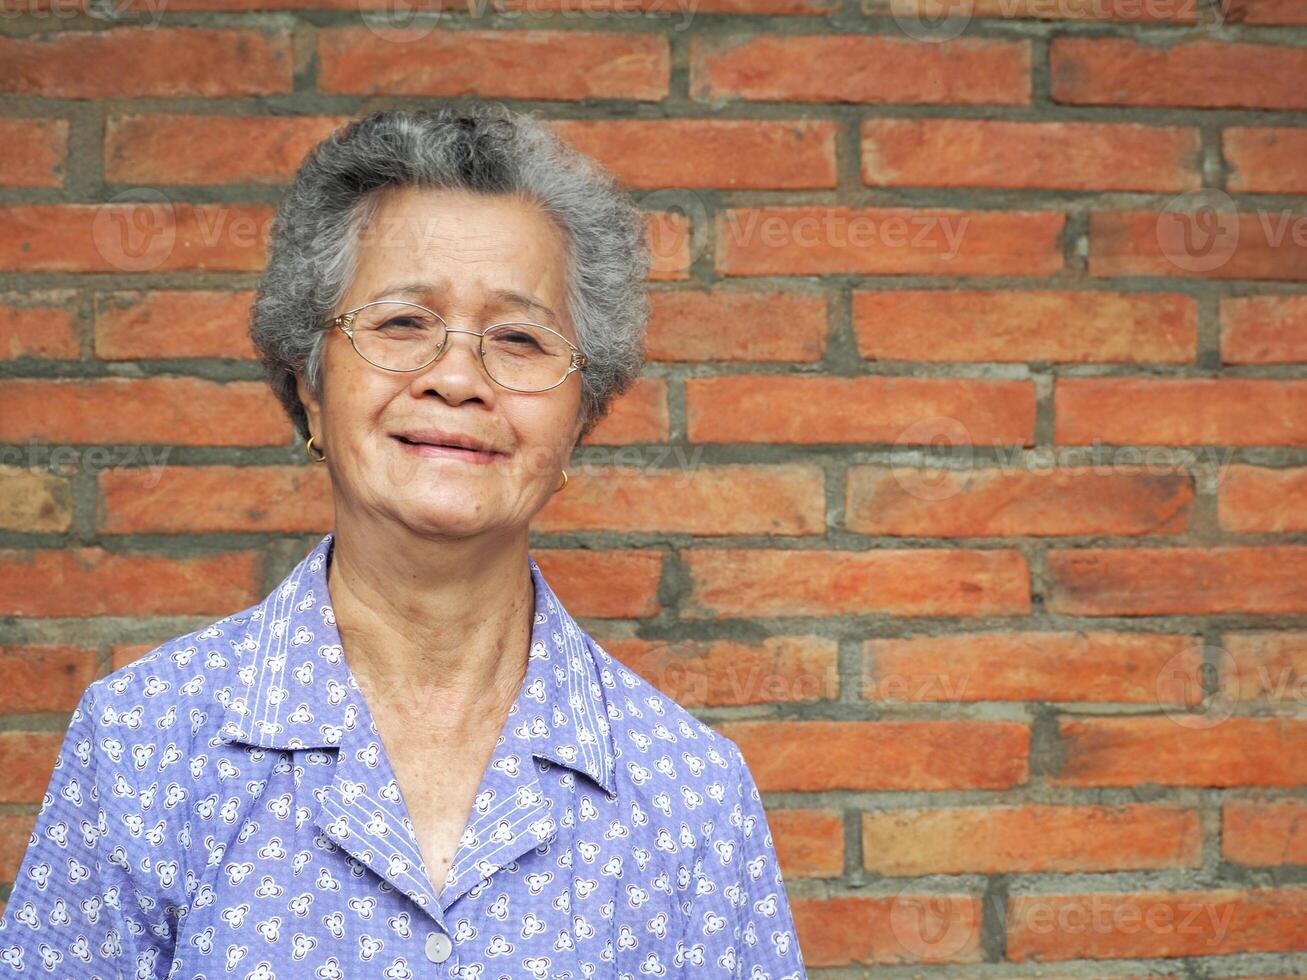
x=410, y=761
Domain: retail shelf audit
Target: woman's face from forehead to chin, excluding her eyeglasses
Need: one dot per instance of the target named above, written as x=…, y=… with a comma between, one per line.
x=462, y=255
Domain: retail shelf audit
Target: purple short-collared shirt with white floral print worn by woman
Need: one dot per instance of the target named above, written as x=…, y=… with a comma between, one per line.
x=224, y=808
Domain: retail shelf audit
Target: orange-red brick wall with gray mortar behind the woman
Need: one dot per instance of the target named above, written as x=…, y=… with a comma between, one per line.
x=967, y=488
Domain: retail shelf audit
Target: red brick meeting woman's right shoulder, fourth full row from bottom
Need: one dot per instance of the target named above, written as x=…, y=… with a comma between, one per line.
x=718, y=674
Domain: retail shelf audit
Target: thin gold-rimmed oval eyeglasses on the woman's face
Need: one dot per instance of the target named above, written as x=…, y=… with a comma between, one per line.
x=518, y=356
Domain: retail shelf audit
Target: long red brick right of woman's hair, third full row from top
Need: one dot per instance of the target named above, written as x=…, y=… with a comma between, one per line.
x=823, y=241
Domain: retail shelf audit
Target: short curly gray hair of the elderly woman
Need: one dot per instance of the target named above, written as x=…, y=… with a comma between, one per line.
x=470, y=146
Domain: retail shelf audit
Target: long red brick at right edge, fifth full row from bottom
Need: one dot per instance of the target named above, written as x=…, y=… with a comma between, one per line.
x=1178, y=581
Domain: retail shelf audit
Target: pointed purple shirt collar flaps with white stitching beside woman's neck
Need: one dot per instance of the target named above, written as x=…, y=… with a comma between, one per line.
x=292, y=688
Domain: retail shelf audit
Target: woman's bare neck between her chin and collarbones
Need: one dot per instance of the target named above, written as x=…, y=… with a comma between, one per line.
x=436, y=632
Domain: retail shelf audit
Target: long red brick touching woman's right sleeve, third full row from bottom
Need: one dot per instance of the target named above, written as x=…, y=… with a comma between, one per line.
x=815, y=757
